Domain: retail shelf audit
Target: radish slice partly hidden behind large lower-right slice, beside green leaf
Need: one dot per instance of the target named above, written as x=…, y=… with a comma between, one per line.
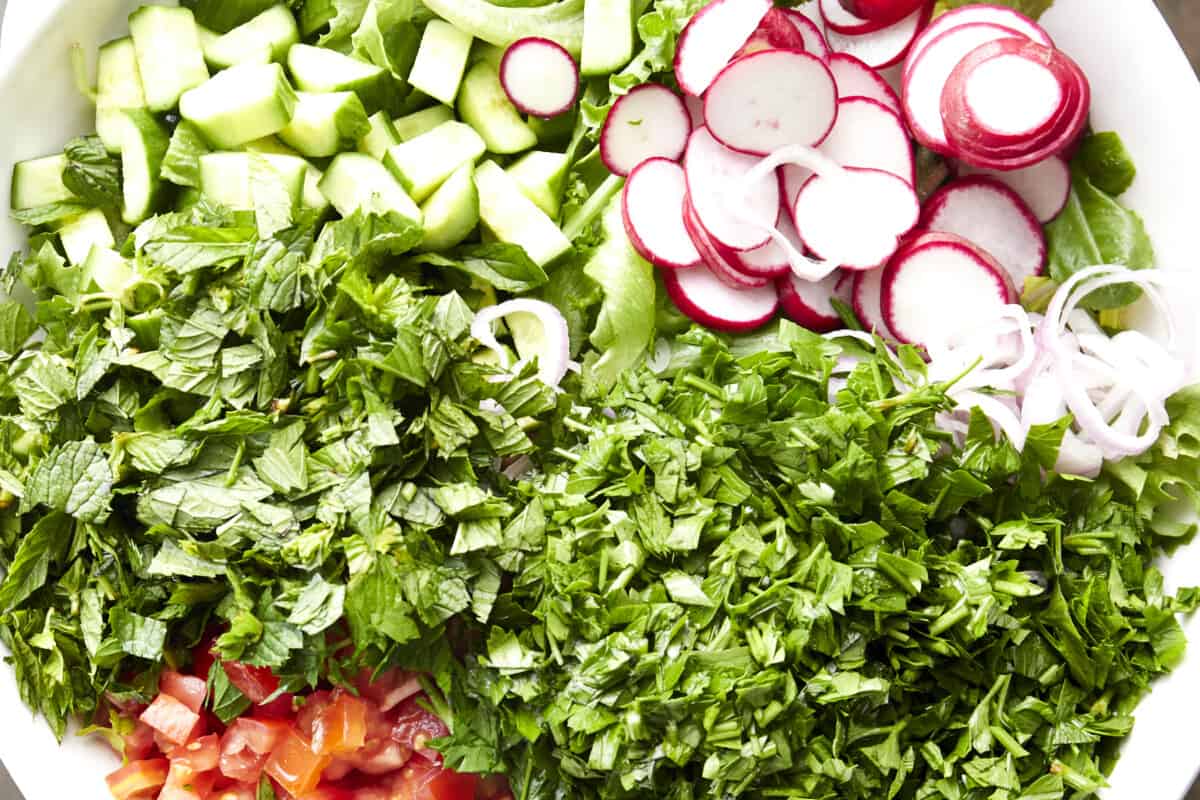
x=995, y=219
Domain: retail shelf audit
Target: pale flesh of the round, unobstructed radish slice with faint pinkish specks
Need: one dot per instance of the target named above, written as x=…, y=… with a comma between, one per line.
x=772, y=99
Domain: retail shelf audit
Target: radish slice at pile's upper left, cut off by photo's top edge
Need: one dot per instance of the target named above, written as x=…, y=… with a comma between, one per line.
x=713, y=38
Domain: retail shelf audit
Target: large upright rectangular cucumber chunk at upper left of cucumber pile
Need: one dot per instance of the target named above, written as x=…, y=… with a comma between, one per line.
x=171, y=62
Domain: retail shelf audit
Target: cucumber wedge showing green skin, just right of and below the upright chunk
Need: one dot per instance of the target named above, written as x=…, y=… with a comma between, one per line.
x=241, y=105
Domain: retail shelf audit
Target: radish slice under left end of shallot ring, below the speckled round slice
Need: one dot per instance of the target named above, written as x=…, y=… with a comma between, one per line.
x=716, y=176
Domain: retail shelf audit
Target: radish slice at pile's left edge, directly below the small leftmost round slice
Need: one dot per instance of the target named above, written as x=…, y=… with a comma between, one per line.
x=652, y=206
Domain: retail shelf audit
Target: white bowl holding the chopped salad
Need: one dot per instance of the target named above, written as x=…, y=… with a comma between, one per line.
x=1143, y=88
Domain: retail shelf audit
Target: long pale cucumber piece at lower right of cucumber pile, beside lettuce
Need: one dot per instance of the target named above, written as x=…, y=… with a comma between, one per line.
x=514, y=219
